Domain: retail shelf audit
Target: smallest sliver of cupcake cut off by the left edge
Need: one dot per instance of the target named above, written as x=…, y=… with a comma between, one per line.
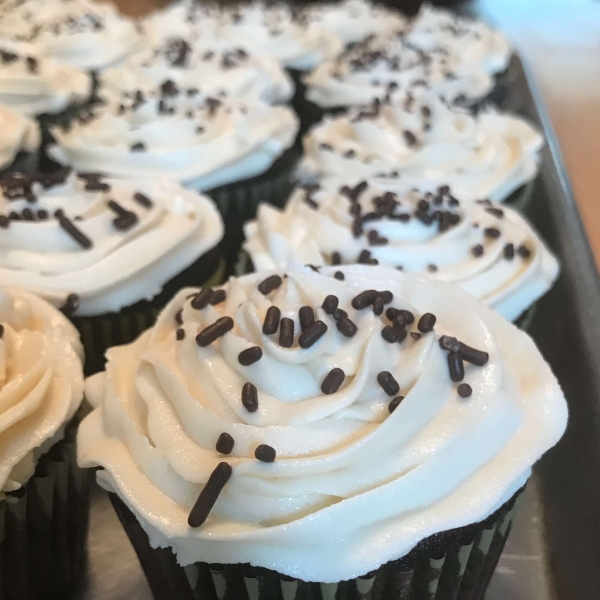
x=19, y=143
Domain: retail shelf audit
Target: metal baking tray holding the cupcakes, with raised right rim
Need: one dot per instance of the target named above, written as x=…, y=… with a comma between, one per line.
x=554, y=550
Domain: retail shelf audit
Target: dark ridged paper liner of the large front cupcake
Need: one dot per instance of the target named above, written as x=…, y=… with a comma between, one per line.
x=452, y=565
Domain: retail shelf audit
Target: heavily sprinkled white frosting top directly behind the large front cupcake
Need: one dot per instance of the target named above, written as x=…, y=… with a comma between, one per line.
x=492, y=253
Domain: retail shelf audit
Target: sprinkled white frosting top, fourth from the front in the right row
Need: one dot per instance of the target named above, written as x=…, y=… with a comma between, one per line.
x=381, y=65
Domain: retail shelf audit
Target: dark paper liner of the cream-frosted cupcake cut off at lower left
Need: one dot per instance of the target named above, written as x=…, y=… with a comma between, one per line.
x=44, y=525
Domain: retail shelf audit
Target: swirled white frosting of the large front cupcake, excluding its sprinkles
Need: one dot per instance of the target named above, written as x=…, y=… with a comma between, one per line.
x=352, y=486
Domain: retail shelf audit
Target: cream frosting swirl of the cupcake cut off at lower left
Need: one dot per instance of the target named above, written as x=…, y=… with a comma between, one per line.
x=41, y=382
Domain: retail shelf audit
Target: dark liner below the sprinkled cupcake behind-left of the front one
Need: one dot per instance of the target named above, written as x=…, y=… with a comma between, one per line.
x=100, y=332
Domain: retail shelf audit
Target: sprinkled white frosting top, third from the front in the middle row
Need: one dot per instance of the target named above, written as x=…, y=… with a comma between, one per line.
x=217, y=68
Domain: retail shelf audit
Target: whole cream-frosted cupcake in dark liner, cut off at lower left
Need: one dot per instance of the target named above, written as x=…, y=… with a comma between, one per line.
x=44, y=497
